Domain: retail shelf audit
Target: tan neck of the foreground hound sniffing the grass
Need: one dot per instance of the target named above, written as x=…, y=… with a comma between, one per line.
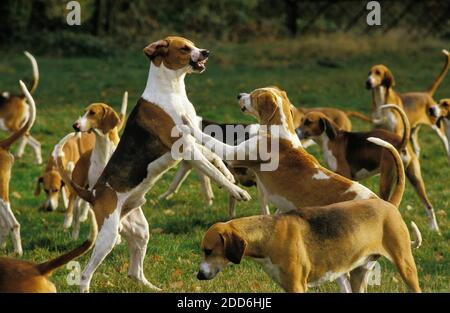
x=257, y=232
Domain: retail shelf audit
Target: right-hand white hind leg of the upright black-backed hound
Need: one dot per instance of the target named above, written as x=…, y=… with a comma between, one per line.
x=135, y=230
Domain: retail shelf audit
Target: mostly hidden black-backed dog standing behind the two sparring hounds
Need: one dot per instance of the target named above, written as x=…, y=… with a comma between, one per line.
x=233, y=133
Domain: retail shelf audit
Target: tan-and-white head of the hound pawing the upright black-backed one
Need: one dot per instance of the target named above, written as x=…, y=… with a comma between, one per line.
x=270, y=106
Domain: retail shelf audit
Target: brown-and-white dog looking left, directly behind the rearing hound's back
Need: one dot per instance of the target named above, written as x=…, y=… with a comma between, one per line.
x=101, y=120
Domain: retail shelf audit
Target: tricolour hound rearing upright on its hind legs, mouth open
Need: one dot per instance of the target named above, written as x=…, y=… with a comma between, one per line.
x=150, y=145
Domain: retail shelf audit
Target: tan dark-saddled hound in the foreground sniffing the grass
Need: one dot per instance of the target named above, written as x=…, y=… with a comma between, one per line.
x=319, y=244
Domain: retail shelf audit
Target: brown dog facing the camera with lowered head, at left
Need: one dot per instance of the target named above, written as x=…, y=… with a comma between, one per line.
x=51, y=181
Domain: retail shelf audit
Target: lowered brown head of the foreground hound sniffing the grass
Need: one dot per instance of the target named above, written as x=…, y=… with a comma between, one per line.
x=221, y=245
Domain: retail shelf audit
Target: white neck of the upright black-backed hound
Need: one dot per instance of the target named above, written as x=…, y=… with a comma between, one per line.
x=164, y=83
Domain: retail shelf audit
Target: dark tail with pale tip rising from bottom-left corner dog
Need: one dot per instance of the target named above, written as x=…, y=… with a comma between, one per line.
x=48, y=267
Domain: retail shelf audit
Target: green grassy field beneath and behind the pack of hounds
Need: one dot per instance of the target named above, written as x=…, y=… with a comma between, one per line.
x=314, y=72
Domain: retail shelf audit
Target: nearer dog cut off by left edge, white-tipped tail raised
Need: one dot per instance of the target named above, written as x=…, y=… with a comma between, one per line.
x=8, y=222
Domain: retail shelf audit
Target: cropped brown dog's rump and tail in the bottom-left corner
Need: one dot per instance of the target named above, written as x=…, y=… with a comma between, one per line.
x=18, y=276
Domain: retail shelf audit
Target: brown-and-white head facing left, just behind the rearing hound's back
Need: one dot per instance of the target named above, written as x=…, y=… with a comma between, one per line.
x=97, y=116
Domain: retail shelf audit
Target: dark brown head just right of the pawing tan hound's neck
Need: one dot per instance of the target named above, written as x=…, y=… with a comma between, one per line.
x=314, y=124
